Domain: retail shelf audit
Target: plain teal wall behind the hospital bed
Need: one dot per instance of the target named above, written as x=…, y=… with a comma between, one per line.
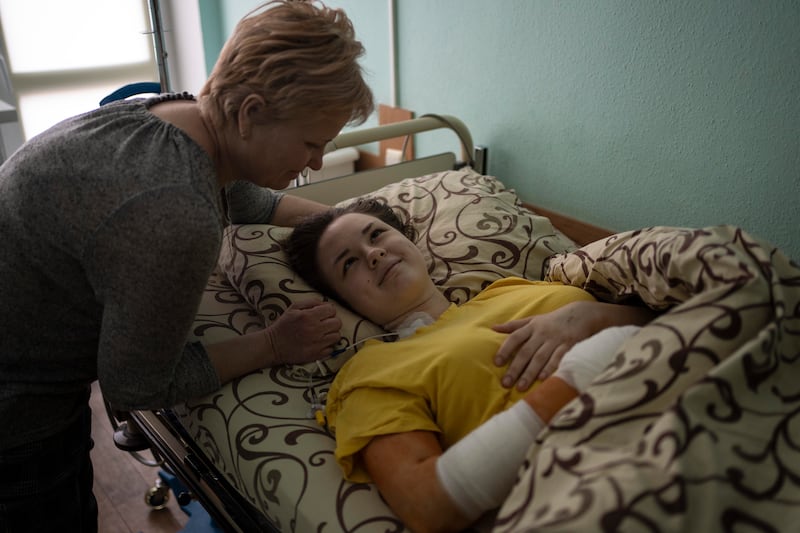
x=623, y=113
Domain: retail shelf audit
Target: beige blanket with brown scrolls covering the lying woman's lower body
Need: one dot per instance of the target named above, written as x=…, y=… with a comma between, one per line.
x=696, y=427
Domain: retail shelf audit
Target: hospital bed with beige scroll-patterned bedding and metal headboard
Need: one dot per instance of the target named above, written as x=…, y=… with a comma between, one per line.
x=696, y=427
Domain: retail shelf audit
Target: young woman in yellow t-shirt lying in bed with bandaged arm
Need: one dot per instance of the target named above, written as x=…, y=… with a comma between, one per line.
x=426, y=417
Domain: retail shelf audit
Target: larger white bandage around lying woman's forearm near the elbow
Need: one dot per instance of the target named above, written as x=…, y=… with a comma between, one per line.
x=479, y=471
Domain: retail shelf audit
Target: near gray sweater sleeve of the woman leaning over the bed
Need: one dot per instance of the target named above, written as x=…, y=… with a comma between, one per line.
x=158, y=272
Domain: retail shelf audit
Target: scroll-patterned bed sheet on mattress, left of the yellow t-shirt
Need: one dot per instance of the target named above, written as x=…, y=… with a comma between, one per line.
x=257, y=431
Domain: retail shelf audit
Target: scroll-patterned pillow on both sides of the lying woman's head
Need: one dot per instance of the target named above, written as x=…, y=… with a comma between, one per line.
x=471, y=229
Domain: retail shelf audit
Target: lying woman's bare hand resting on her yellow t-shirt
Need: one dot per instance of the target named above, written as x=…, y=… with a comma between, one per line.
x=536, y=344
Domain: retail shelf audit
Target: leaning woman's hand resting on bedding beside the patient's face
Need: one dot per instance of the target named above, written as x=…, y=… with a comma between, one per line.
x=306, y=332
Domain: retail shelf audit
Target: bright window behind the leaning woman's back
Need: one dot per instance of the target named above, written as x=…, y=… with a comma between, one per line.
x=64, y=57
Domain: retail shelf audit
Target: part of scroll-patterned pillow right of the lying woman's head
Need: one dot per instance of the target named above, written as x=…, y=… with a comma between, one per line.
x=472, y=230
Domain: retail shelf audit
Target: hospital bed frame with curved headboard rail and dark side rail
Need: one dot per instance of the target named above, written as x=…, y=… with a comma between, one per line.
x=168, y=440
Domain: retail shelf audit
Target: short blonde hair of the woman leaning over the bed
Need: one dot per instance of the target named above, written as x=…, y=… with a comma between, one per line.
x=300, y=56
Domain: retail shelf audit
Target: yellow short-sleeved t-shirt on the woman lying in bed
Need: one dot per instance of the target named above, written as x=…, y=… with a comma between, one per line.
x=441, y=379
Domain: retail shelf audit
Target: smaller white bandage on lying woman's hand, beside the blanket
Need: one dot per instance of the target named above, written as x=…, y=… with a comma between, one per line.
x=588, y=358
